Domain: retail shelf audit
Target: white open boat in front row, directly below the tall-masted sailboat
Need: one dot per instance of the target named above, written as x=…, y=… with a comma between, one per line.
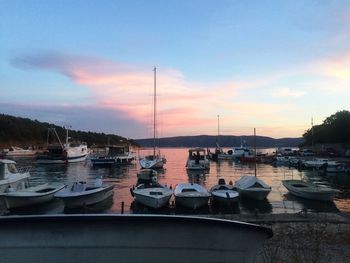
x=152, y=194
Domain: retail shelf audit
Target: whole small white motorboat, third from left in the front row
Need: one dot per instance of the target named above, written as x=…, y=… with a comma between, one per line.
x=80, y=194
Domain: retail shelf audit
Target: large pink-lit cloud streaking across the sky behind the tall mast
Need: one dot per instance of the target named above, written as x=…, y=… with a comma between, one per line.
x=125, y=94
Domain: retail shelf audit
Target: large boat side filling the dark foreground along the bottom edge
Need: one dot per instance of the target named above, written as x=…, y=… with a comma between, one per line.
x=129, y=238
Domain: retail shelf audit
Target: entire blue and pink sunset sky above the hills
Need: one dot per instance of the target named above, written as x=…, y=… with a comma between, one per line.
x=269, y=65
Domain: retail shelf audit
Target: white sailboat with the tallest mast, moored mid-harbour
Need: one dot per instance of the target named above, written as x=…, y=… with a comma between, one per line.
x=154, y=161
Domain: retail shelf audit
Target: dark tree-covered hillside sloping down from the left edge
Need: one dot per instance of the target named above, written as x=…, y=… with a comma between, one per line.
x=24, y=132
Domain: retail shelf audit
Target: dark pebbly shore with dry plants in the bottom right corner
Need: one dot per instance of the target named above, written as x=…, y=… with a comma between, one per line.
x=303, y=237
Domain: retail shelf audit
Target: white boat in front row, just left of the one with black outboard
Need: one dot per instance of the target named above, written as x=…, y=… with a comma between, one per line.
x=191, y=195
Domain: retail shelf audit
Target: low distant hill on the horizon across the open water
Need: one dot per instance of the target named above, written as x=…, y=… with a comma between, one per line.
x=224, y=141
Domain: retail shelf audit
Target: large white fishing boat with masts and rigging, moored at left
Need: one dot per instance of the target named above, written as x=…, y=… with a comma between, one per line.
x=63, y=153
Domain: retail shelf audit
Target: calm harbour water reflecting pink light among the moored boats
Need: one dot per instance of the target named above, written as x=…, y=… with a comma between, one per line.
x=279, y=201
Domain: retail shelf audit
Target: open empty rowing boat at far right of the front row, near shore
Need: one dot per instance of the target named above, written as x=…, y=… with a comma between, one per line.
x=309, y=191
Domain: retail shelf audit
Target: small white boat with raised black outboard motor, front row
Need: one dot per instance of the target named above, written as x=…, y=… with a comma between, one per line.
x=223, y=192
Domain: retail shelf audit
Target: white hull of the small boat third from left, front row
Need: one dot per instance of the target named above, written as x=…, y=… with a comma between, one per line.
x=85, y=198
